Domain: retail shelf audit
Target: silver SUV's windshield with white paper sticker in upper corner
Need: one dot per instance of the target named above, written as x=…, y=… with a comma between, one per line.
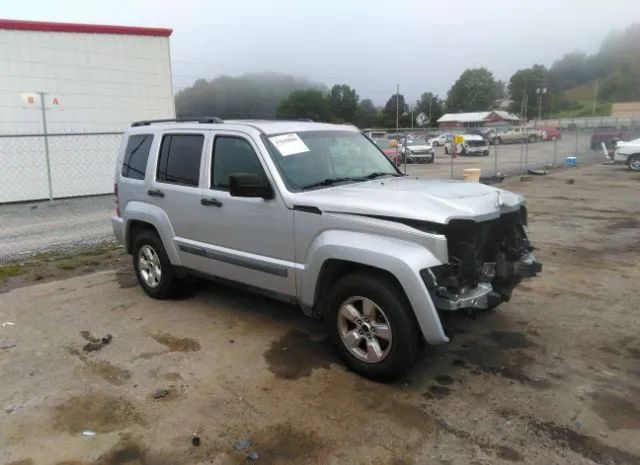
x=309, y=157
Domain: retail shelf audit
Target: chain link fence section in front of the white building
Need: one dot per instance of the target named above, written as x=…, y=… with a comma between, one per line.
x=77, y=164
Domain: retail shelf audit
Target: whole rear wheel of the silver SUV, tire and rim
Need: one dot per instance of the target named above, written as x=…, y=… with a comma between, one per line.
x=152, y=266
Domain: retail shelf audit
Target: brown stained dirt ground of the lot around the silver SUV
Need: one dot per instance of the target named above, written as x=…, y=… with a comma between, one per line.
x=552, y=377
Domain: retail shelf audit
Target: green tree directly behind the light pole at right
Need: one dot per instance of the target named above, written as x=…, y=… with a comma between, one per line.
x=523, y=85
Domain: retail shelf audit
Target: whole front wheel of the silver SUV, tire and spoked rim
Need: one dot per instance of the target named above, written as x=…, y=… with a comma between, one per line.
x=372, y=325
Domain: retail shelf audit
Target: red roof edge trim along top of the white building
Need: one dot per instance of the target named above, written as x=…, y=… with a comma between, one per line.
x=45, y=26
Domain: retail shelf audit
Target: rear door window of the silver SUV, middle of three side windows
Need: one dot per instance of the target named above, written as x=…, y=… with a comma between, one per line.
x=179, y=161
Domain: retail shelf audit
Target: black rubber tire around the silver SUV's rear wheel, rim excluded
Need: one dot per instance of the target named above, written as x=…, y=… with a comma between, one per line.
x=168, y=282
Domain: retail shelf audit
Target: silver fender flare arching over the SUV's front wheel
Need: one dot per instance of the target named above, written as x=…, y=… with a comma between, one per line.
x=401, y=258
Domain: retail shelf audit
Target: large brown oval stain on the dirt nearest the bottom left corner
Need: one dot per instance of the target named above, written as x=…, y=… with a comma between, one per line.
x=96, y=412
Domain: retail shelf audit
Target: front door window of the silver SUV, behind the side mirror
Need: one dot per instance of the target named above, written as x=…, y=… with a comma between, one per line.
x=232, y=155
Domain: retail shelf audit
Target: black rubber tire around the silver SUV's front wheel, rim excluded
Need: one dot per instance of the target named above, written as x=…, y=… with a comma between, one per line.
x=388, y=296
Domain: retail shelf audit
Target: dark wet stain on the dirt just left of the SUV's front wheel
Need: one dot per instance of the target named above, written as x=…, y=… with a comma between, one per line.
x=296, y=355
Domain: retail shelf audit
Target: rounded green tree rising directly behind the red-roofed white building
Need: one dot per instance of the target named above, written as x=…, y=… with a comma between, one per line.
x=475, y=90
